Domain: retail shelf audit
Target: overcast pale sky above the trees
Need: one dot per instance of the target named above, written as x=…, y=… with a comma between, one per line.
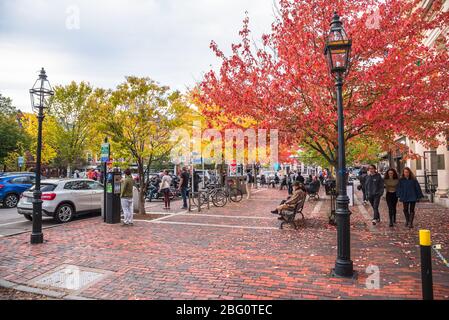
x=167, y=40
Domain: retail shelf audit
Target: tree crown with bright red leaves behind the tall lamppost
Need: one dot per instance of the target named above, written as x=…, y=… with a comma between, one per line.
x=396, y=84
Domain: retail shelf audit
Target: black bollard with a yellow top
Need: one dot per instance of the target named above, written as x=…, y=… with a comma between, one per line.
x=426, y=264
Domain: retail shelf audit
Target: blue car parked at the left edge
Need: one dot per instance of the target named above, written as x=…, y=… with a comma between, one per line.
x=12, y=186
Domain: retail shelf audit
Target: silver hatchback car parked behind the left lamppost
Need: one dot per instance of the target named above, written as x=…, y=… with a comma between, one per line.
x=64, y=199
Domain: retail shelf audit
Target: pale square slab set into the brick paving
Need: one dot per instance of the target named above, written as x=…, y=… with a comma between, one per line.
x=69, y=277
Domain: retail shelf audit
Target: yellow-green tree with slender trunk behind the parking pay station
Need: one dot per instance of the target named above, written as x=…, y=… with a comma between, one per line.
x=139, y=117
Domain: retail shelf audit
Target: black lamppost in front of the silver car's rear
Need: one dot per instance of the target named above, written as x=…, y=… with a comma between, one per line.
x=40, y=93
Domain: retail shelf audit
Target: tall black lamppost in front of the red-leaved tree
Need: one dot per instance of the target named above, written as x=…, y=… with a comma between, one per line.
x=338, y=49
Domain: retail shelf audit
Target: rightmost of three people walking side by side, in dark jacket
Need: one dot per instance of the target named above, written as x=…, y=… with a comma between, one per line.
x=409, y=192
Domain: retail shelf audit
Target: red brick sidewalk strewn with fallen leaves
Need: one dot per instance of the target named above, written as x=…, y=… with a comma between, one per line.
x=235, y=252
